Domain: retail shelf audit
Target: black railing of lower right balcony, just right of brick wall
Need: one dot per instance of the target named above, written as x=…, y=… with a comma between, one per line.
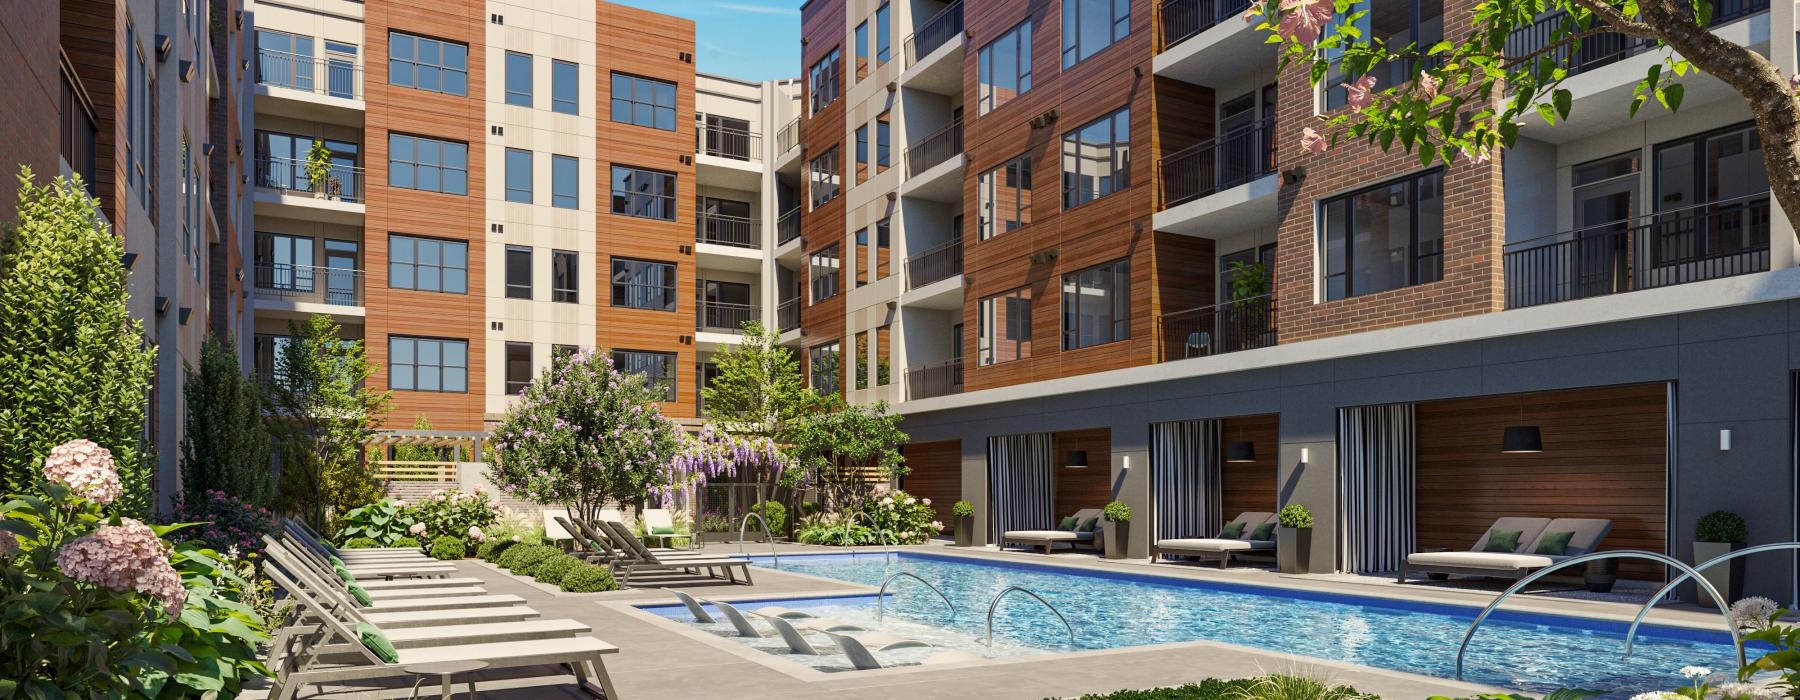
x=1664, y=249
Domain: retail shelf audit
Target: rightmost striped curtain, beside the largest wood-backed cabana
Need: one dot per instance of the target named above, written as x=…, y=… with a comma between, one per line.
x=1378, y=481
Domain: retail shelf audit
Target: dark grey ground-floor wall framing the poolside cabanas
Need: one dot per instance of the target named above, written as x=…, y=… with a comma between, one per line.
x=1731, y=368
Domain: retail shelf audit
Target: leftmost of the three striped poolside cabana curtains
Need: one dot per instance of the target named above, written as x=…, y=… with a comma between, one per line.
x=1021, y=483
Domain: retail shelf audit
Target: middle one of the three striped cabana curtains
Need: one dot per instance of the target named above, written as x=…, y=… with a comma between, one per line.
x=1185, y=480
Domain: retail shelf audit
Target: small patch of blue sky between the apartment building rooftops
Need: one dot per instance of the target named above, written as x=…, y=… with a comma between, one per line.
x=753, y=40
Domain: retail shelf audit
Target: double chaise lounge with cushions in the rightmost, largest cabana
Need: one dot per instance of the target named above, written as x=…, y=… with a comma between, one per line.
x=1534, y=544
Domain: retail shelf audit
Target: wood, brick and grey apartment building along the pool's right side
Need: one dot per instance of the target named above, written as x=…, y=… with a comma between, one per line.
x=1200, y=319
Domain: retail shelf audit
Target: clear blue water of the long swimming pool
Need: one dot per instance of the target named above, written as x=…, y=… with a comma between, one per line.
x=1522, y=651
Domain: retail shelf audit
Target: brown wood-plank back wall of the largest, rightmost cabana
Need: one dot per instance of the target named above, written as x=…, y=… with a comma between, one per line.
x=1605, y=458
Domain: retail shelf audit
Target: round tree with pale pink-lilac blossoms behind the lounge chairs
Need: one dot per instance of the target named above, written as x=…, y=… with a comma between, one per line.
x=584, y=435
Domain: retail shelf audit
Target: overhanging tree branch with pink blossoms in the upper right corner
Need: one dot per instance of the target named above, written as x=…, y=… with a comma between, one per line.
x=1468, y=93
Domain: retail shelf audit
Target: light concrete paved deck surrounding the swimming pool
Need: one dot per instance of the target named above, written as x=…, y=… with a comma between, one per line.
x=665, y=660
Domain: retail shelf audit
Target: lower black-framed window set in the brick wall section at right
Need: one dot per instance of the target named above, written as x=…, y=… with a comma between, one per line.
x=1383, y=238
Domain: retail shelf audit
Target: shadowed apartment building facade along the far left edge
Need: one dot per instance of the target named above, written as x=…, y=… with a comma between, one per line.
x=147, y=102
